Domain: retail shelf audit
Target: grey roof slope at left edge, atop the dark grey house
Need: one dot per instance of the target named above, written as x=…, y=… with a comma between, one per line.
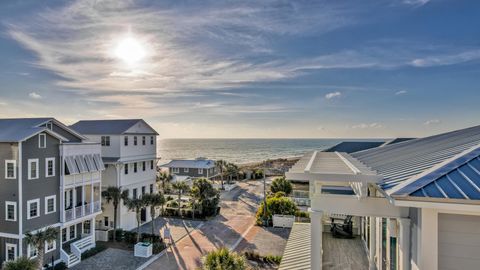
x=18, y=129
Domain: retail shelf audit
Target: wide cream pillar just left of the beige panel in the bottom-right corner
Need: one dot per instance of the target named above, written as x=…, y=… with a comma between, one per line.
x=429, y=239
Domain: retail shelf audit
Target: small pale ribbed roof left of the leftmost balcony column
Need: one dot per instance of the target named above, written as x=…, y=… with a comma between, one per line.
x=297, y=251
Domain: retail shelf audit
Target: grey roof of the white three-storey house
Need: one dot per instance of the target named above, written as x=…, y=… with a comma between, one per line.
x=109, y=127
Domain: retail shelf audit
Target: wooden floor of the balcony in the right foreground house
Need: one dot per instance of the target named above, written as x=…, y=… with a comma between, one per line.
x=343, y=254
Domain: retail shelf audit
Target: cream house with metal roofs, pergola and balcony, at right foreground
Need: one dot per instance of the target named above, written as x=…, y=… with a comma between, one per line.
x=413, y=205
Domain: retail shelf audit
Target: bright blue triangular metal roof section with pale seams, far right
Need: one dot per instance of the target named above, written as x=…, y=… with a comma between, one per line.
x=458, y=178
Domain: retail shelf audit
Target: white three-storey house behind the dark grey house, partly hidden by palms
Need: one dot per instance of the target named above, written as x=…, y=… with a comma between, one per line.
x=129, y=152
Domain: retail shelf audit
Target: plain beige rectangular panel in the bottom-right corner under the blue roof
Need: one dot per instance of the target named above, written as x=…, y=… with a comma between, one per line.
x=458, y=242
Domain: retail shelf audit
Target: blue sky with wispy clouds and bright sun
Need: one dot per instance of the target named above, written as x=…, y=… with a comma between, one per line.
x=246, y=69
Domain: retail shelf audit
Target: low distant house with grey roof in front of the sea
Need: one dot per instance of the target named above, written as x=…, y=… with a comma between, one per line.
x=194, y=168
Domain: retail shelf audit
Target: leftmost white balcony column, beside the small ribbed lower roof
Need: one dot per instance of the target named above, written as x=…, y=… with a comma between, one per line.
x=316, y=231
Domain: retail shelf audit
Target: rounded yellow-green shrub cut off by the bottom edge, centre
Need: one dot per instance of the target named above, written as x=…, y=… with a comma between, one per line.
x=223, y=259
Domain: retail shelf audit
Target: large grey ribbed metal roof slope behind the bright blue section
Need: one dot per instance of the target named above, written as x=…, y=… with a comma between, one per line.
x=402, y=161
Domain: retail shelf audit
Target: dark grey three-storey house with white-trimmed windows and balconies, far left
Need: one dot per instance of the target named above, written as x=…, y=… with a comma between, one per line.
x=51, y=178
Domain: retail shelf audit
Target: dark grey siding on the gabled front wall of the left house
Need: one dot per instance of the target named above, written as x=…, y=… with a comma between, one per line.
x=43, y=186
